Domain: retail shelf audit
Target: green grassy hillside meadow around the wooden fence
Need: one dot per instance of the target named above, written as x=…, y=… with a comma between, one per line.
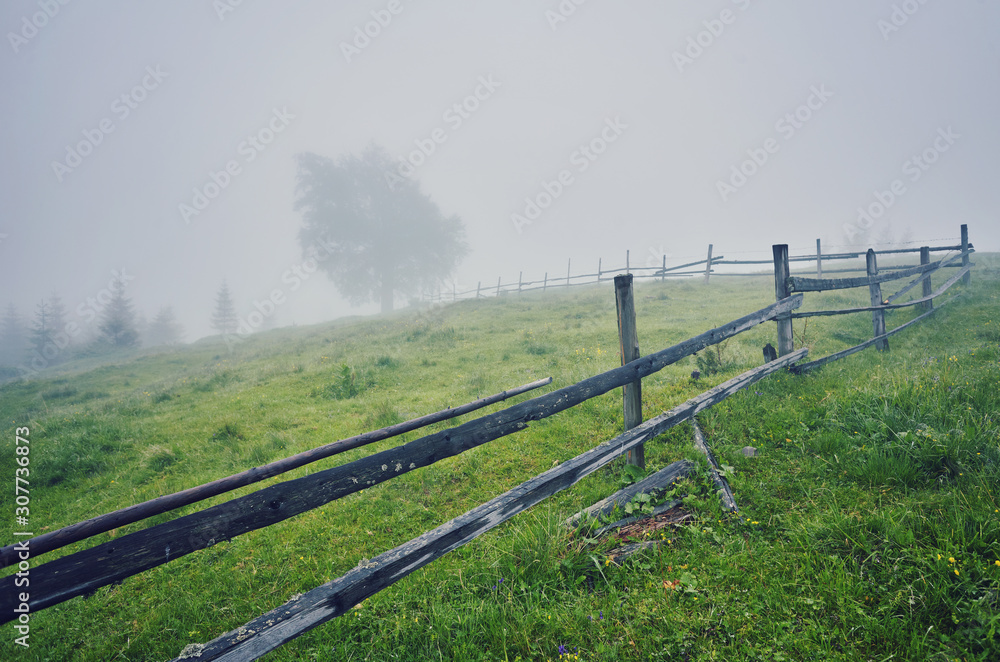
x=872, y=516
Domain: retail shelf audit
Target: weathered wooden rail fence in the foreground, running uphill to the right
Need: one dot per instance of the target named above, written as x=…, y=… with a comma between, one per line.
x=85, y=571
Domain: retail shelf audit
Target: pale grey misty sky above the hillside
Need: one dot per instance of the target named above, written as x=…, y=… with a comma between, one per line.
x=642, y=108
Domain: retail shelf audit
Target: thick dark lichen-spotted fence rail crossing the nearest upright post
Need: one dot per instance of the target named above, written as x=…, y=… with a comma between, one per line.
x=85, y=571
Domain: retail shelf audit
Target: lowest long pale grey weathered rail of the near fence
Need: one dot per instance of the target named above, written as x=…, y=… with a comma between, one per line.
x=321, y=604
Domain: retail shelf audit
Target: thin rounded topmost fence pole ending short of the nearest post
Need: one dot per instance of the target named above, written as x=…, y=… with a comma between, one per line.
x=81, y=530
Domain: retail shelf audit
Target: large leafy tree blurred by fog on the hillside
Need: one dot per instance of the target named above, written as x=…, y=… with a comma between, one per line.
x=376, y=240
